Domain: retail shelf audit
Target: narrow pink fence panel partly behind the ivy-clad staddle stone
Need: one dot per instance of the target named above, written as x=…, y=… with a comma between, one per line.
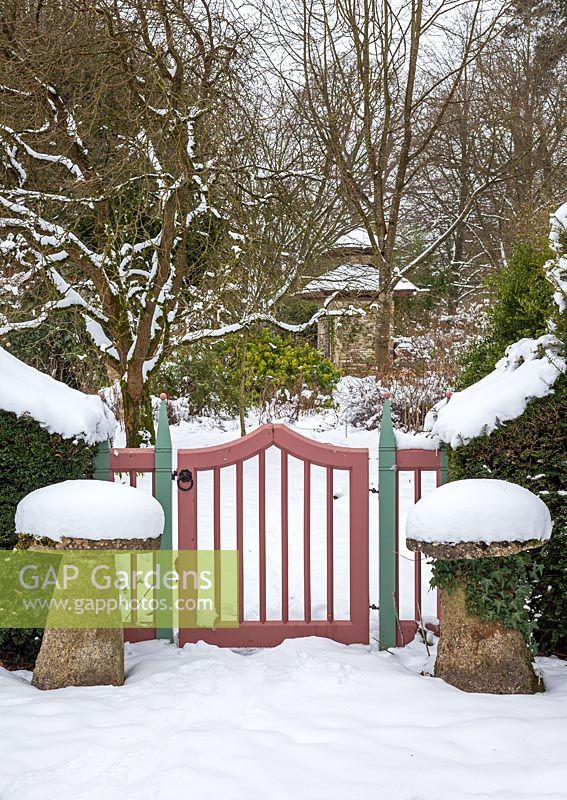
x=418, y=462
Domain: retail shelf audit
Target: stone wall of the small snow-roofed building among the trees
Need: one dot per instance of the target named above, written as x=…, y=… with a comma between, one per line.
x=349, y=342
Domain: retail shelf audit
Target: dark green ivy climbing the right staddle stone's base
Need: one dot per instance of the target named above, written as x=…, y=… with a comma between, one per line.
x=496, y=589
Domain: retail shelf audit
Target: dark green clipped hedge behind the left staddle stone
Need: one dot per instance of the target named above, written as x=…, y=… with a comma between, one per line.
x=31, y=458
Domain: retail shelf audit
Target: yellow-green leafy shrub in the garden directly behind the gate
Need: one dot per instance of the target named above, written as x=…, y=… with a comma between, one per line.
x=209, y=373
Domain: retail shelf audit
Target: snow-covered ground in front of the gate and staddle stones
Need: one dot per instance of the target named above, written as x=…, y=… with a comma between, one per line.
x=309, y=720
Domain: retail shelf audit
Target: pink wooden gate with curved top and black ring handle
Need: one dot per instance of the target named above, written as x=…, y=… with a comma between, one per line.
x=264, y=632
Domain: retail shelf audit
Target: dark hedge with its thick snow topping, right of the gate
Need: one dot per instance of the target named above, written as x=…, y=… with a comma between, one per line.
x=512, y=425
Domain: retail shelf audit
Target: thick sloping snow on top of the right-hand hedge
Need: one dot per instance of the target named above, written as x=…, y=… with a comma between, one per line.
x=528, y=370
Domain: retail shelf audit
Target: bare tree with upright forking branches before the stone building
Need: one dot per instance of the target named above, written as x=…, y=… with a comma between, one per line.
x=375, y=81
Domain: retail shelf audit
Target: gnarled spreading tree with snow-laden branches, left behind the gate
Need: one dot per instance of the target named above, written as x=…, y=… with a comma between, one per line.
x=121, y=185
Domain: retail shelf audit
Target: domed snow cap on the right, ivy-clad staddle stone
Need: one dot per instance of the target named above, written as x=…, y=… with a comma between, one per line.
x=479, y=510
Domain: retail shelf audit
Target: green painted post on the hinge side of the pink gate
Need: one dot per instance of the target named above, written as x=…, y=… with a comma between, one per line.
x=387, y=529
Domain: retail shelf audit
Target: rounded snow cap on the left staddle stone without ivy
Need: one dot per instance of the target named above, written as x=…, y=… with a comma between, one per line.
x=90, y=510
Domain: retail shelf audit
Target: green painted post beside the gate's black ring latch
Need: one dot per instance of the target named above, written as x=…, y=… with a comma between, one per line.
x=163, y=483
